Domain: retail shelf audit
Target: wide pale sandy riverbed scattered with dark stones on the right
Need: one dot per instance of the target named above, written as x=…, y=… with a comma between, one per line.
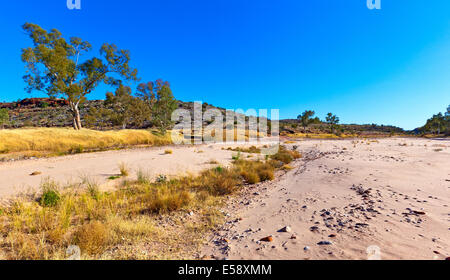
x=370, y=200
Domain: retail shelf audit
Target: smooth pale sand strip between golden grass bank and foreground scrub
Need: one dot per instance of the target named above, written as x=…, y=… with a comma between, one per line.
x=15, y=177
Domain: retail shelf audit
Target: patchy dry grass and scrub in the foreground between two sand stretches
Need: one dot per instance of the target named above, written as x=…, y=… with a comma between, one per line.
x=126, y=223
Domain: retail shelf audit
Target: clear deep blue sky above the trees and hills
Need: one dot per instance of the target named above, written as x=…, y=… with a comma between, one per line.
x=388, y=66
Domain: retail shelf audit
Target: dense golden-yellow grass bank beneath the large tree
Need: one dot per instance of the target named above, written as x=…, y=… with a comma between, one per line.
x=60, y=141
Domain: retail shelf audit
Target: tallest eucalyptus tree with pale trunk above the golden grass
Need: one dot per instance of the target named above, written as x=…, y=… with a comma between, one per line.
x=54, y=66
